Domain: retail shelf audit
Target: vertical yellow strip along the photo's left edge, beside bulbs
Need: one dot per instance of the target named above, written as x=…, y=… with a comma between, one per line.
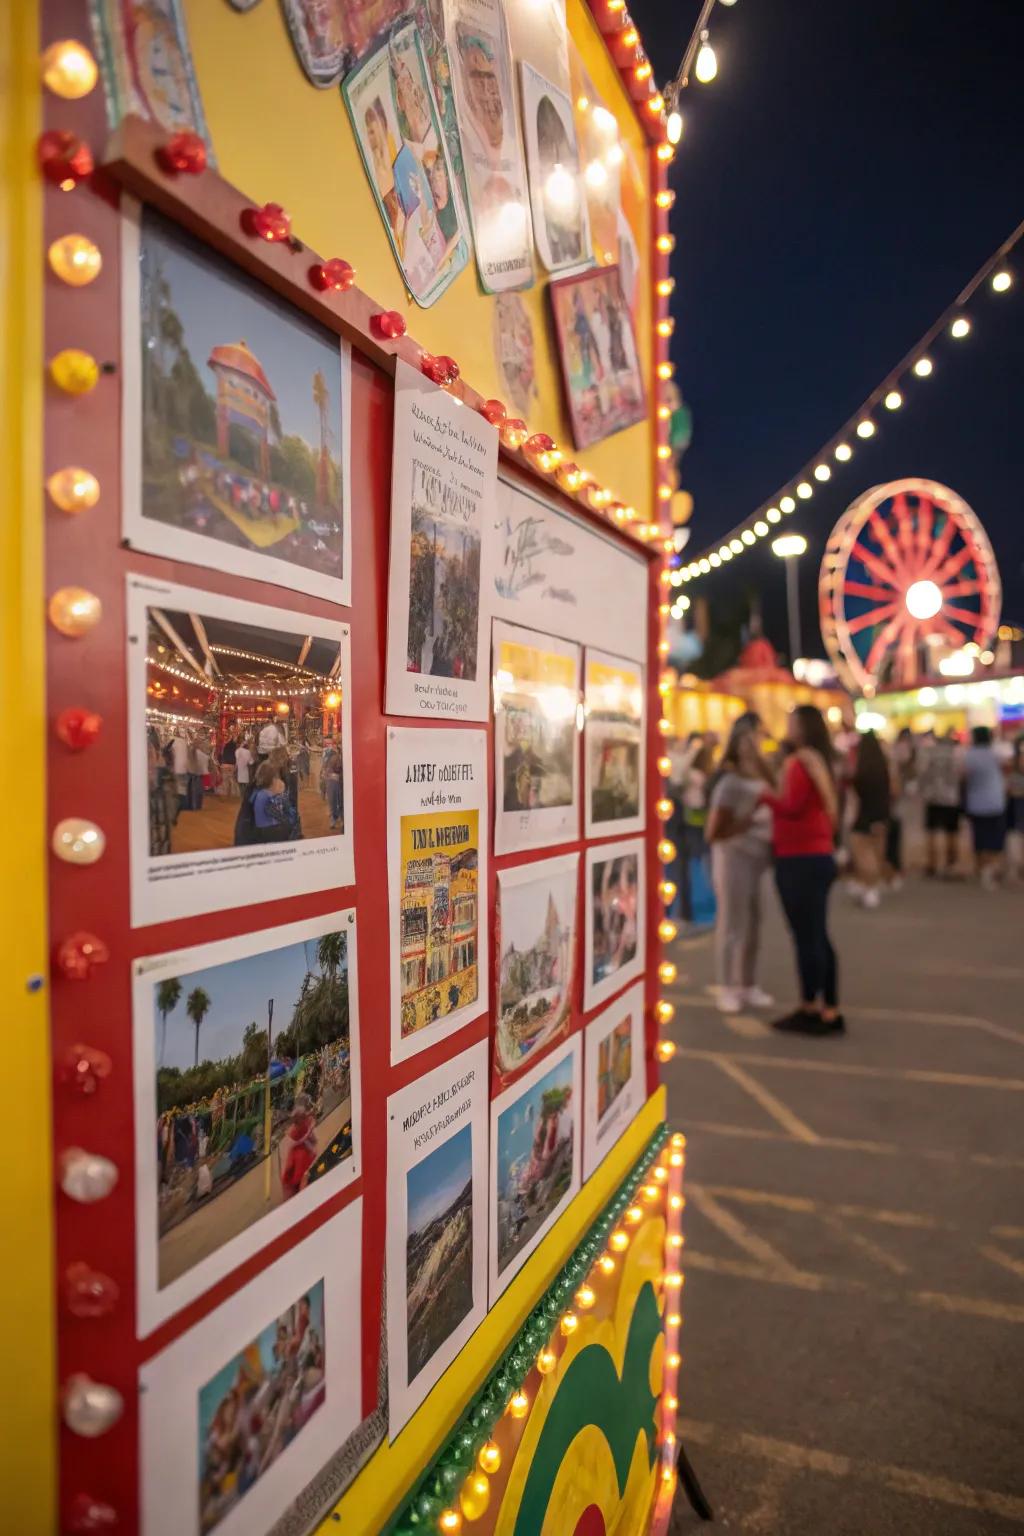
x=28, y=1429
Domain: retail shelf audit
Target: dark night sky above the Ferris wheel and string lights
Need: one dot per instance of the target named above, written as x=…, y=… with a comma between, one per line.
x=837, y=185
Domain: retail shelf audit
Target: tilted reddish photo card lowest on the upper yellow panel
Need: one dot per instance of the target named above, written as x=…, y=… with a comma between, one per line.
x=598, y=349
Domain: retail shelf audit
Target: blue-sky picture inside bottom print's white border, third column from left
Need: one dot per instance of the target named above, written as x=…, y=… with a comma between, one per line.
x=535, y=1159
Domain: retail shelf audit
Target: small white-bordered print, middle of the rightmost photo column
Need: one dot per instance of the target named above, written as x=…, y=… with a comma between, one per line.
x=615, y=929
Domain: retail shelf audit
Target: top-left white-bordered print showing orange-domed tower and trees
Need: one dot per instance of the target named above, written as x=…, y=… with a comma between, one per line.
x=239, y=457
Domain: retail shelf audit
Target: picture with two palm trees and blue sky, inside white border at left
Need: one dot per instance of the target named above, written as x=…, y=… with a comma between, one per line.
x=253, y=1091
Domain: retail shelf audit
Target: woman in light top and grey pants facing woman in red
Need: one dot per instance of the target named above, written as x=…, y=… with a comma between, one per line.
x=741, y=836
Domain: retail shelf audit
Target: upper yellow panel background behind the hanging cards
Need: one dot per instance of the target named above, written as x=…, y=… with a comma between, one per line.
x=282, y=141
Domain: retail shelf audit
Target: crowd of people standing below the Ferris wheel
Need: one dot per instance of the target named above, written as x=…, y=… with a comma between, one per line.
x=819, y=809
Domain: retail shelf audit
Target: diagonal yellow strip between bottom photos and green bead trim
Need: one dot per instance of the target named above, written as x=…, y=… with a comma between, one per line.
x=372, y=1498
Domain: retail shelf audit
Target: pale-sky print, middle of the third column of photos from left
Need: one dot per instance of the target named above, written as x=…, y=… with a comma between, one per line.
x=537, y=961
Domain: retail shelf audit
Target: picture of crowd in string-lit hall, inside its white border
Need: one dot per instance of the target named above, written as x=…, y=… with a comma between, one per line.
x=243, y=735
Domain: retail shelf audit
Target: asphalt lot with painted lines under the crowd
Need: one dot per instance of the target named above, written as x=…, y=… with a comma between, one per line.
x=854, y=1305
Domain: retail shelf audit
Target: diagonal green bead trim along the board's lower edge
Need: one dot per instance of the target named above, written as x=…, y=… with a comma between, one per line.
x=426, y=1501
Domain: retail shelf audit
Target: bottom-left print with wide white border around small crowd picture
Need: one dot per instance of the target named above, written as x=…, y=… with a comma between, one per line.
x=242, y=1412
